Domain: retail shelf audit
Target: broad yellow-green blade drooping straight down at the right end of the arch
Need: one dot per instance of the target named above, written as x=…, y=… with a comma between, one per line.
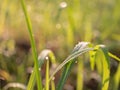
x=102, y=62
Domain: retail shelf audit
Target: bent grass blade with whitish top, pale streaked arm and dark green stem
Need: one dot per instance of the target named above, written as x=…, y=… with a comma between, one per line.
x=79, y=49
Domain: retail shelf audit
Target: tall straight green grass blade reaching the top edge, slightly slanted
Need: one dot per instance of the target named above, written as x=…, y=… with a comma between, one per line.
x=34, y=52
